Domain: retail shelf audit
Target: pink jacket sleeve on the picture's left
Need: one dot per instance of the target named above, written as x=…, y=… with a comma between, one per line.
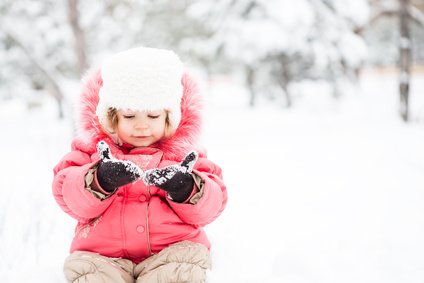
x=69, y=188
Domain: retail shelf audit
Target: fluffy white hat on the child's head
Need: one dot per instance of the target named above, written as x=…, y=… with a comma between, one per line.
x=142, y=79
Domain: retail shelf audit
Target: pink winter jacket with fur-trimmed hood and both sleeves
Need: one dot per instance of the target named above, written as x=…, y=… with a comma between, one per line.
x=138, y=220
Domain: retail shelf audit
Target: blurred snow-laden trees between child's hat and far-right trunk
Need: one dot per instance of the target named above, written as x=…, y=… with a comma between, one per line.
x=275, y=43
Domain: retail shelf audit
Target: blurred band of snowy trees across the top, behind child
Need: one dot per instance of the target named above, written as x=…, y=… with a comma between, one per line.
x=46, y=46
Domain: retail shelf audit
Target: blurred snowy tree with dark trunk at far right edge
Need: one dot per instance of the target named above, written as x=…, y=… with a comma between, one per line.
x=398, y=26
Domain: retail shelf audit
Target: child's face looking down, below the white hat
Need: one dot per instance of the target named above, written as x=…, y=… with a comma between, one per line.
x=141, y=129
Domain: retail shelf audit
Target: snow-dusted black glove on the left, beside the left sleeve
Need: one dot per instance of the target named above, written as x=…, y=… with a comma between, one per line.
x=113, y=173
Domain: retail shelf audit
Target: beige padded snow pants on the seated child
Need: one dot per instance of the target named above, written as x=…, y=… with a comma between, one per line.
x=183, y=262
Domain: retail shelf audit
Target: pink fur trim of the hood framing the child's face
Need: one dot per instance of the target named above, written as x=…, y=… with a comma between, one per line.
x=184, y=140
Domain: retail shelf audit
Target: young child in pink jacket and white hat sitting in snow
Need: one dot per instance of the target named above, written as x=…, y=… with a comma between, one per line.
x=136, y=181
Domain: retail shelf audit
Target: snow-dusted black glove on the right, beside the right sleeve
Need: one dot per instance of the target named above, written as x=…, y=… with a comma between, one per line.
x=176, y=180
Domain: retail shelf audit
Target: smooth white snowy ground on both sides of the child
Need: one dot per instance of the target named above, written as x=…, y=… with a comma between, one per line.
x=325, y=192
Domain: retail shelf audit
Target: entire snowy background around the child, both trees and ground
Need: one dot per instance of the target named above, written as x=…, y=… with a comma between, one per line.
x=316, y=105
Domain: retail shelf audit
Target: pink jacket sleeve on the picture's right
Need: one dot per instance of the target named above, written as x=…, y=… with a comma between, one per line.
x=213, y=200
